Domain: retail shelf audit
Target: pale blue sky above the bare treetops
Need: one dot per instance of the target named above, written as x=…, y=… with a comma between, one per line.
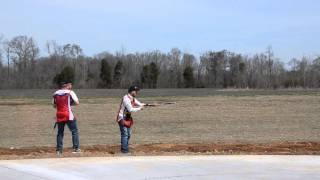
x=292, y=27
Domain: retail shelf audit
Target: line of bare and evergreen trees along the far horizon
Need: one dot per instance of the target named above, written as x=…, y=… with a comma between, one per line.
x=21, y=66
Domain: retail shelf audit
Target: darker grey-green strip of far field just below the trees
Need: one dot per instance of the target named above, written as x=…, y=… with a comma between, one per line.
x=116, y=93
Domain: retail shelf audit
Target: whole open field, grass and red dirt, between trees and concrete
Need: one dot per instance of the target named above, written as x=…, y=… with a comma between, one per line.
x=201, y=121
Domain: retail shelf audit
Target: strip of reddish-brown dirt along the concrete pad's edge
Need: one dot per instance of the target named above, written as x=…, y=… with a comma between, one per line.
x=283, y=148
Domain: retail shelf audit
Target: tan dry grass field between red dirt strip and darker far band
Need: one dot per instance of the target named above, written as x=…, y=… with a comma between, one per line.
x=201, y=119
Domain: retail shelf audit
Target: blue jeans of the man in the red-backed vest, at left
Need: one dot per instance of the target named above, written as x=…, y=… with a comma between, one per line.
x=72, y=125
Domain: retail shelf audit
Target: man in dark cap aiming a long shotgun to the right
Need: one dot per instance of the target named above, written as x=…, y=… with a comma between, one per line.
x=128, y=105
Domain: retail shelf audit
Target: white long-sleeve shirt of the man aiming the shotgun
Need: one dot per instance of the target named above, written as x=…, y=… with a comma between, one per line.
x=129, y=104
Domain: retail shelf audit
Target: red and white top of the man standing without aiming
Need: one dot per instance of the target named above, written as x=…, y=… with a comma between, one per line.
x=62, y=101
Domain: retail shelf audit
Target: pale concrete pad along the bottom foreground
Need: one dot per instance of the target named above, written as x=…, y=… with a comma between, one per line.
x=164, y=167
